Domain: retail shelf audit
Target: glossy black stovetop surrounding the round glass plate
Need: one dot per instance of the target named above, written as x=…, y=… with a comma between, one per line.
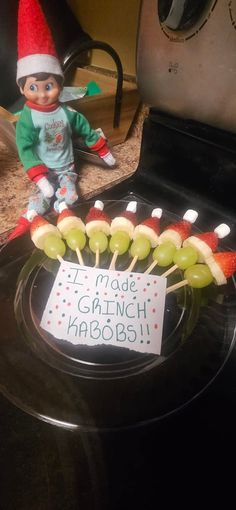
x=182, y=165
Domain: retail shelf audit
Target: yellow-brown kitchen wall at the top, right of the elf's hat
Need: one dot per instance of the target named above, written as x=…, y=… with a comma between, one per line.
x=114, y=22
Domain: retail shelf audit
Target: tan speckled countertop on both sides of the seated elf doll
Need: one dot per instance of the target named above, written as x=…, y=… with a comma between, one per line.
x=93, y=178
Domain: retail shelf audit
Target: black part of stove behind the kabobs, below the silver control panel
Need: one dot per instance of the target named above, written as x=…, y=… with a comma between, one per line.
x=185, y=164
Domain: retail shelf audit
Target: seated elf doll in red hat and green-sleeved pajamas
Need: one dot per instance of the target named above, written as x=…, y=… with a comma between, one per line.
x=45, y=127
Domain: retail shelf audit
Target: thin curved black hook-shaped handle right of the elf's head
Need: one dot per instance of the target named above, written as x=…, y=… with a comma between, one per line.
x=71, y=57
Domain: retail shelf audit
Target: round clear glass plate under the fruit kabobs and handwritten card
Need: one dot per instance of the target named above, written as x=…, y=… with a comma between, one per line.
x=106, y=387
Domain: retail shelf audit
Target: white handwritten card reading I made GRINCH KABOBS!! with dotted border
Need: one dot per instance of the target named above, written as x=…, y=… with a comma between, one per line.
x=97, y=306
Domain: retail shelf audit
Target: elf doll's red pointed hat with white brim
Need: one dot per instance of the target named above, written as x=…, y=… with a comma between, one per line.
x=36, y=49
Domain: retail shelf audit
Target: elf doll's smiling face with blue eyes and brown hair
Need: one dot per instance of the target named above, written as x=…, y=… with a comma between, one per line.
x=43, y=92
